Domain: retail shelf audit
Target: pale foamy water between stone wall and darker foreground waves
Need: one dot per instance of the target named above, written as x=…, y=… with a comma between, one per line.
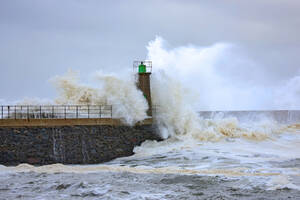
x=234, y=158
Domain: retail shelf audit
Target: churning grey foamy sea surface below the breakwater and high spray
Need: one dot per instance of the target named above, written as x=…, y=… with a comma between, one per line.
x=243, y=160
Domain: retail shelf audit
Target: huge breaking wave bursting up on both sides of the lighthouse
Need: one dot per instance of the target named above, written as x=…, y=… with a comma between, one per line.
x=184, y=80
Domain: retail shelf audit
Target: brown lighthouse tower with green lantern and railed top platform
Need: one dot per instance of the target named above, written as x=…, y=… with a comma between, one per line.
x=144, y=69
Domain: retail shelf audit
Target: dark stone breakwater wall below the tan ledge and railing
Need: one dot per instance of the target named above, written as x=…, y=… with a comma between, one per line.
x=70, y=144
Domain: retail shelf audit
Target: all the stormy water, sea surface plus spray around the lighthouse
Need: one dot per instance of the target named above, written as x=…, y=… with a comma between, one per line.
x=244, y=155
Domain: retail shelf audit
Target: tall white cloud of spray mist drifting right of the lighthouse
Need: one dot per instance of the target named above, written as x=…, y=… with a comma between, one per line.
x=223, y=78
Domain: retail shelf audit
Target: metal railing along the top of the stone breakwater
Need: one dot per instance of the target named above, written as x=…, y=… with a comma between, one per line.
x=55, y=111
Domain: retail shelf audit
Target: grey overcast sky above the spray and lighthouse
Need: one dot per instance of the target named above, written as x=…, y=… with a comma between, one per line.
x=42, y=38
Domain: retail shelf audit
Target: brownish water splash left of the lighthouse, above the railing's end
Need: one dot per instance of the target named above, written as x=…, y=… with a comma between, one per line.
x=128, y=102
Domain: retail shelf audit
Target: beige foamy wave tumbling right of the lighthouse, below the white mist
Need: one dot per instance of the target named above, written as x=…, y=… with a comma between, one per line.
x=177, y=116
